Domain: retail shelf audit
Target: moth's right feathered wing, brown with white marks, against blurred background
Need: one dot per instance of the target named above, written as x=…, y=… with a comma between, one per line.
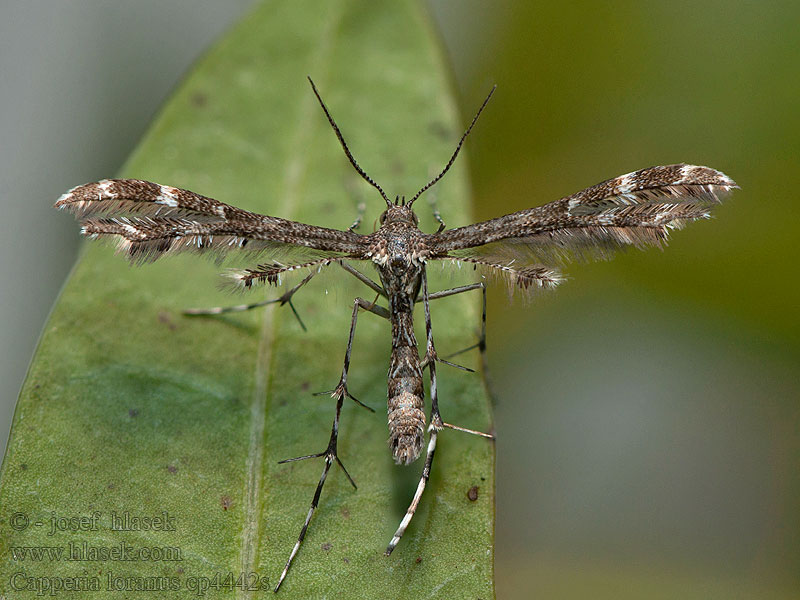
x=637, y=209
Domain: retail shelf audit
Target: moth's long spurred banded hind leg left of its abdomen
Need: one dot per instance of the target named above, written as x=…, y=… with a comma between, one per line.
x=330, y=453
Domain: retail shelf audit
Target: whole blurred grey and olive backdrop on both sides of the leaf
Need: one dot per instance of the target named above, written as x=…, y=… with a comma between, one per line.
x=649, y=411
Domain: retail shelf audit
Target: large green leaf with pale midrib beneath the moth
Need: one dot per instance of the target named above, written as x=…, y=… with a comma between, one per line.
x=130, y=407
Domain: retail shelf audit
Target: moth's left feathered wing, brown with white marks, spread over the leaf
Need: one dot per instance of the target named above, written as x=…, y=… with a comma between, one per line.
x=148, y=220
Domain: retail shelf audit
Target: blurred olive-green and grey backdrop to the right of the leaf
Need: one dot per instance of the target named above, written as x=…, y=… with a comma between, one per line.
x=649, y=413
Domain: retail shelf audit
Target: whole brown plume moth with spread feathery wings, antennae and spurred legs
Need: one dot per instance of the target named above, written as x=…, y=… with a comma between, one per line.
x=149, y=220
